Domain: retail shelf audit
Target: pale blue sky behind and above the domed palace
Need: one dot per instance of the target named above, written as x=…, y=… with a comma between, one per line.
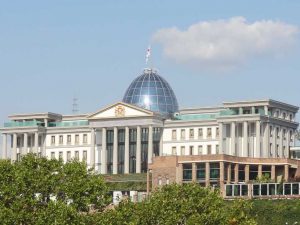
x=53, y=50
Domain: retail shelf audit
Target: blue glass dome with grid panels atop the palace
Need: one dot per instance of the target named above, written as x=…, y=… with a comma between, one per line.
x=152, y=92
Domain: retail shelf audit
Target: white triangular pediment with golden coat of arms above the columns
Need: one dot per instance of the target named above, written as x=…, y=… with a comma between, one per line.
x=120, y=110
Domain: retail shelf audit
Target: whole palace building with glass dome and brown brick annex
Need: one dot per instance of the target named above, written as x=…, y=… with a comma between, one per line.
x=233, y=143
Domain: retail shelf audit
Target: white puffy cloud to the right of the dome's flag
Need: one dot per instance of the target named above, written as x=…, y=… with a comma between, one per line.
x=225, y=44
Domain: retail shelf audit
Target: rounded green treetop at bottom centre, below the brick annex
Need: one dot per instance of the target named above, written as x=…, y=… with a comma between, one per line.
x=178, y=204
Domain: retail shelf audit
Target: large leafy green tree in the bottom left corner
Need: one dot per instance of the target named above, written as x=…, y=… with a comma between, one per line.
x=34, y=188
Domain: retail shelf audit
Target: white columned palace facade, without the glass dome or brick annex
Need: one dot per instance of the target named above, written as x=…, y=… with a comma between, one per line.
x=119, y=138
